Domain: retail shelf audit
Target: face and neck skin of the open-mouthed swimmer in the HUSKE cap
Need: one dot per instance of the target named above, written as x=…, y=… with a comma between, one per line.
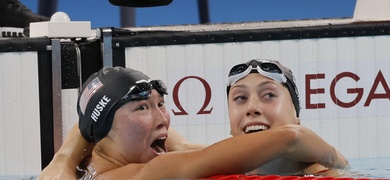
x=137, y=135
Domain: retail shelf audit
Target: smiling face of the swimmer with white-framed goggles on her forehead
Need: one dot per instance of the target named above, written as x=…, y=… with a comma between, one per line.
x=258, y=103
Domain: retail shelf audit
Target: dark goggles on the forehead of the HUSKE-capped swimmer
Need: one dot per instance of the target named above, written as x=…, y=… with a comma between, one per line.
x=143, y=89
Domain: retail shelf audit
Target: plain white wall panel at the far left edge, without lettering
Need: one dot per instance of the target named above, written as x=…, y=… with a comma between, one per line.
x=20, y=146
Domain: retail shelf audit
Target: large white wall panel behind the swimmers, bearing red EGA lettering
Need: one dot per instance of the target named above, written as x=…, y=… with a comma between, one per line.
x=357, y=131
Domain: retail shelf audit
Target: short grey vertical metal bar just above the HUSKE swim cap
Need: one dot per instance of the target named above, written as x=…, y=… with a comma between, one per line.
x=107, y=46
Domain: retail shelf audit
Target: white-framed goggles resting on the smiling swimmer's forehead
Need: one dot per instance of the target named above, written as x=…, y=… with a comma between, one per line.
x=267, y=68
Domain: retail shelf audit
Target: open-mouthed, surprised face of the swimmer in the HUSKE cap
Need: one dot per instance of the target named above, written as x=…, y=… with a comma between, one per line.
x=140, y=129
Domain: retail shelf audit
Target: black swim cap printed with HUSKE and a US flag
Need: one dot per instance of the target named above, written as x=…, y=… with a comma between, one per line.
x=99, y=99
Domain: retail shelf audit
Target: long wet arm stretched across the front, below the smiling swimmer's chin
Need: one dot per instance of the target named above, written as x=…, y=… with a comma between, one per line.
x=240, y=154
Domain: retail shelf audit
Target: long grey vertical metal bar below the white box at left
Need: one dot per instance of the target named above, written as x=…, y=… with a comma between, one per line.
x=56, y=89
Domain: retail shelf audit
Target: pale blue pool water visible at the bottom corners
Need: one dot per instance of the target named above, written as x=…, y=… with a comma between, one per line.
x=360, y=168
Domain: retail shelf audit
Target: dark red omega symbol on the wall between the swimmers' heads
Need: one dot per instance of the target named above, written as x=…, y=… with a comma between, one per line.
x=175, y=96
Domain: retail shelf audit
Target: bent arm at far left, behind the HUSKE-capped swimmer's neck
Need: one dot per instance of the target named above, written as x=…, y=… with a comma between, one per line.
x=71, y=153
